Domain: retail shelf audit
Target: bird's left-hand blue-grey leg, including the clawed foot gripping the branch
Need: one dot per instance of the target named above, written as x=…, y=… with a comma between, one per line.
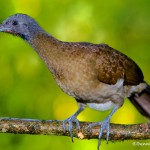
x=72, y=119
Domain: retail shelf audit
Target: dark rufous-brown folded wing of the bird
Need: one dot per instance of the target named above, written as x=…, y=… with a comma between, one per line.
x=113, y=65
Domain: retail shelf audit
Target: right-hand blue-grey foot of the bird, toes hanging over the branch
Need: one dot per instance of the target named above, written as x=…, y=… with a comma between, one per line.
x=104, y=126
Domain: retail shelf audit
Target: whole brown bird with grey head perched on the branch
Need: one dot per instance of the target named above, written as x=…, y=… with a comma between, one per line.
x=95, y=75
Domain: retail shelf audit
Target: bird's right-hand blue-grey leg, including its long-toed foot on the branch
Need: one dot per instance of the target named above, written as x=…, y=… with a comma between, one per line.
x=105, y=125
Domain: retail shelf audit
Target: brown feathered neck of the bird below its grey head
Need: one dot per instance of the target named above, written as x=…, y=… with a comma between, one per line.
x=47, y=47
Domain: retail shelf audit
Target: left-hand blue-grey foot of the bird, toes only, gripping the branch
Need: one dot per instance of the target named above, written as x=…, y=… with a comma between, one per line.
x=70, y=122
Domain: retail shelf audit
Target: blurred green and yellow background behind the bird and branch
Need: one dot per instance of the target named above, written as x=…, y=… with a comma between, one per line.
x=27, y=89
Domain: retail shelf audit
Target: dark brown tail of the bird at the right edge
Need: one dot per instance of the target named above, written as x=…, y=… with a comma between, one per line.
x=142, y=102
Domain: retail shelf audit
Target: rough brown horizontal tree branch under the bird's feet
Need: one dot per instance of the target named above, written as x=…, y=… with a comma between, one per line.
x=49, y=127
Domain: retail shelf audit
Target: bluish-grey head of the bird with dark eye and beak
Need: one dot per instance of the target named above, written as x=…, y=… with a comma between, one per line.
x=20, y=25
